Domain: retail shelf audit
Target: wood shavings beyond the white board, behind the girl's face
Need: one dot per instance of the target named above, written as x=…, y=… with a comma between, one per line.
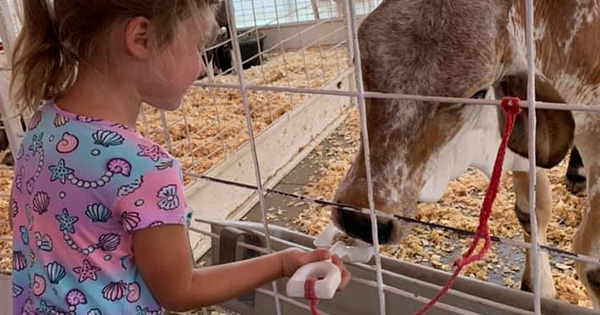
x=216, y=124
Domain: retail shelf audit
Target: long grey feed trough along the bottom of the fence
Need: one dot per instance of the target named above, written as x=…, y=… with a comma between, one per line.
x=407, y=284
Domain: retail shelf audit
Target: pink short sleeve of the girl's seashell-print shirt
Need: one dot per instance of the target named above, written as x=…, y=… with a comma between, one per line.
x=155, y=198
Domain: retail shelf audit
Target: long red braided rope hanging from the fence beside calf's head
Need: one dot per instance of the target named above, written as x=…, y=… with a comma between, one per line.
x=512, y=109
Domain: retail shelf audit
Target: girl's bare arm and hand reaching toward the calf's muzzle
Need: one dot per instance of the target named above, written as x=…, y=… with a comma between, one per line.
x=164, y=259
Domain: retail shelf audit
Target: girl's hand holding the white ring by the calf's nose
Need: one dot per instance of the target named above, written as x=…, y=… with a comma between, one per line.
x=294, y=258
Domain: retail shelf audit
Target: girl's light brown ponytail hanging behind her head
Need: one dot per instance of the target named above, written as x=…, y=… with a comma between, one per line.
x=41, y=68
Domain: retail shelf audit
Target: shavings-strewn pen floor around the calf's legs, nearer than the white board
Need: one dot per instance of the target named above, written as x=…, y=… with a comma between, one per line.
x=318, y=175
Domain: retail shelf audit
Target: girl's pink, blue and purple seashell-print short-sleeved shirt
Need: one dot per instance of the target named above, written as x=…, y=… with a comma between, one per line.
x=81, y=187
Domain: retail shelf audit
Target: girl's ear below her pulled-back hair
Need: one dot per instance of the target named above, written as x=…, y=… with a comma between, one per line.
x=139, y=37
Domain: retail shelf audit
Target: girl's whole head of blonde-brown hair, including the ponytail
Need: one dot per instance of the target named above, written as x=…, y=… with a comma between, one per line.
x=55, y=41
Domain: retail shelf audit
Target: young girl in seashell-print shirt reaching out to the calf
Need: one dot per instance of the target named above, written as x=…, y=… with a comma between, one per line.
x=98, y=211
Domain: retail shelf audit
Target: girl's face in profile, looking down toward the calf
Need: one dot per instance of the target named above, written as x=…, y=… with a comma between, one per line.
x=175, y=68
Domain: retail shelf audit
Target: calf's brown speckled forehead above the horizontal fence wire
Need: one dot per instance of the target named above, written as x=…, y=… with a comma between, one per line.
x=433, y=47
